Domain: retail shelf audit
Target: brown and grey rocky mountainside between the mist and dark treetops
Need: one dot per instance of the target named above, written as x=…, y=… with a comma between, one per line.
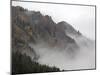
x=33, y=27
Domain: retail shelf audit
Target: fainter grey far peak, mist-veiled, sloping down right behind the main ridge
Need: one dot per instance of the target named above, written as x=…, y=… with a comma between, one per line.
x=80, y=39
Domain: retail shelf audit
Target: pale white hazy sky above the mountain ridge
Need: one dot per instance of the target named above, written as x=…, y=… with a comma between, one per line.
x=82, y=18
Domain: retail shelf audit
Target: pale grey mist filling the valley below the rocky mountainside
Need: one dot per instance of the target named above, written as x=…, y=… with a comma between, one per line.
x=83, y=59
